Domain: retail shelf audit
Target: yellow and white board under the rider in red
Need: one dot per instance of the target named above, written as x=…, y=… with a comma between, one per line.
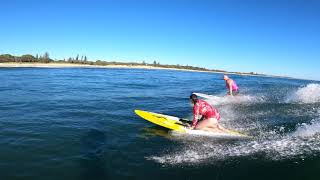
x=174, y=123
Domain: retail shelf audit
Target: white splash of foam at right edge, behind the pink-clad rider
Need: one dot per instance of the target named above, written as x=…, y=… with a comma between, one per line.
x=307, y=94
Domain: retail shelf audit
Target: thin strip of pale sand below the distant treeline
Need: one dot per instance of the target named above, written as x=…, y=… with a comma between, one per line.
x=73, y=65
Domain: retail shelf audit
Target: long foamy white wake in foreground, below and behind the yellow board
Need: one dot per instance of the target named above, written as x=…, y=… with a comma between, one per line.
x=305, y=141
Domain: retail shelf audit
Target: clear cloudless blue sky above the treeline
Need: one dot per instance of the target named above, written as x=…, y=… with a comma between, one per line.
x=279, y=37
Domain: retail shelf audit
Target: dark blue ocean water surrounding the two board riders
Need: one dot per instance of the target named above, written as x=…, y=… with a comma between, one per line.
x=79, y=124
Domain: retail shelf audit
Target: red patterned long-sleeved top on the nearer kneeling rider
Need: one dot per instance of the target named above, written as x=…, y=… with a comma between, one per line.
x=203, y=109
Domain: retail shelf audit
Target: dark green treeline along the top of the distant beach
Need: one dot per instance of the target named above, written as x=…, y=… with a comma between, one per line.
x=45, y=58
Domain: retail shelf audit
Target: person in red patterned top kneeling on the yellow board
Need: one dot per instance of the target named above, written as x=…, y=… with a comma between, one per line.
x=205, y=117
